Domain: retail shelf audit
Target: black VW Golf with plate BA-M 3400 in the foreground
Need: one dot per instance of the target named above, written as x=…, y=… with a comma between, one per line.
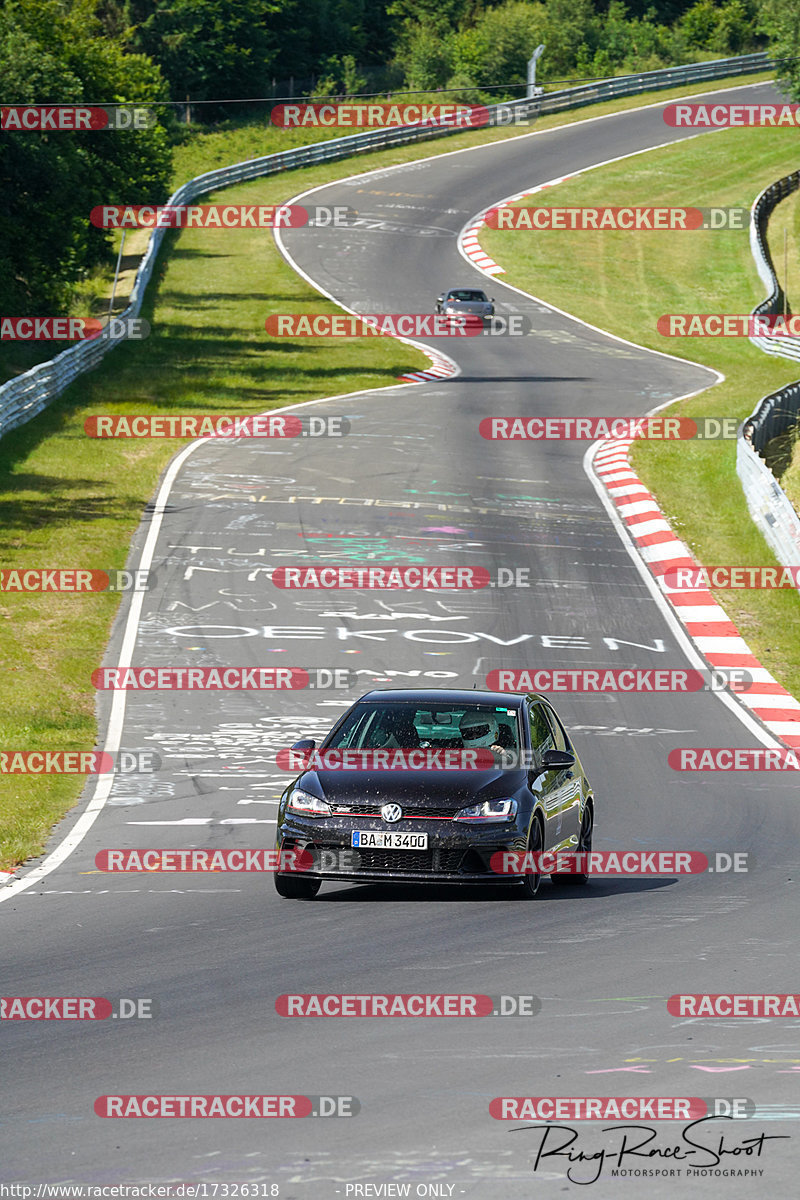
x=434, y=787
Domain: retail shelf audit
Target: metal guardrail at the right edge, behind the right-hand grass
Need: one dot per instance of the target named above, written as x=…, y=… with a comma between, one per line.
x=769, y=506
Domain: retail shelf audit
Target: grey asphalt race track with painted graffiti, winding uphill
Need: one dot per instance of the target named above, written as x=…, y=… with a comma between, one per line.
x=413, y=483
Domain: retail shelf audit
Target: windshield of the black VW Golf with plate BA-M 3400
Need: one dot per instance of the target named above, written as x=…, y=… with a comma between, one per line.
x=408, y=727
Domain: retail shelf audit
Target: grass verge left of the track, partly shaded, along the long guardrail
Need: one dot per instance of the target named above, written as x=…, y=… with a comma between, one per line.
x=67, y=501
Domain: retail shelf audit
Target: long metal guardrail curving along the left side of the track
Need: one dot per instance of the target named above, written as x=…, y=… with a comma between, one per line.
x=29, y=394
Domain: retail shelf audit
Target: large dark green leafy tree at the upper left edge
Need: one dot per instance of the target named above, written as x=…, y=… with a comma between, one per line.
x=52, y=52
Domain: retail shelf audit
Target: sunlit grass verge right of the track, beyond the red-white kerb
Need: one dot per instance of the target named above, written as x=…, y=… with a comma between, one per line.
x=639, y=277
